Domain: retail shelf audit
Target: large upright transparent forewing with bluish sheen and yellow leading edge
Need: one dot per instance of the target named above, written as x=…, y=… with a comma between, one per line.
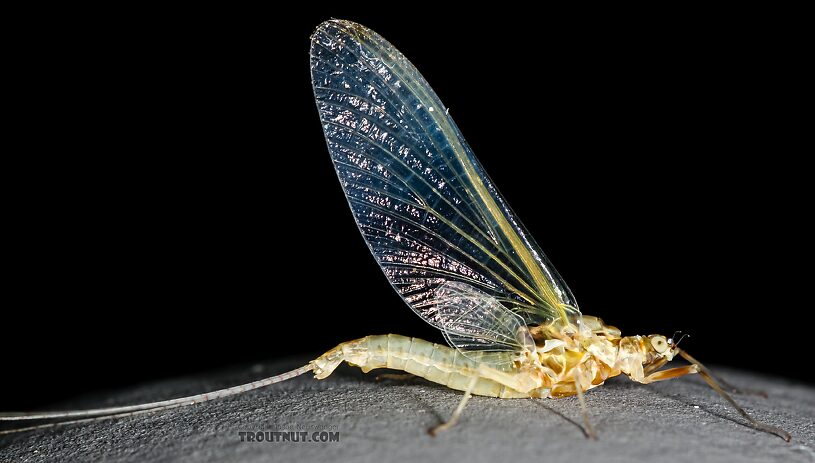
x=422, y=201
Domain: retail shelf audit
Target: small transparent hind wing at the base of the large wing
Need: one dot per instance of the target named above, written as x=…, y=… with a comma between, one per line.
x=473, y=322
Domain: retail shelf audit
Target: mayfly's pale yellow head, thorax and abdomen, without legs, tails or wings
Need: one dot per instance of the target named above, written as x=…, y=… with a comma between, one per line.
x=587, y=354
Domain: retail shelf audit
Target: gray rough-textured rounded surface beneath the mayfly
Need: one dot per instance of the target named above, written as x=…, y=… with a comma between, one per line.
x=678, y=420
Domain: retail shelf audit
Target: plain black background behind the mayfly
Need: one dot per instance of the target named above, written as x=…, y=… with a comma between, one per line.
x=170, y=206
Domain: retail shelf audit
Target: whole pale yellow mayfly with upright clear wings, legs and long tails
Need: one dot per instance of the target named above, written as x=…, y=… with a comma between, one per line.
x=452, y=248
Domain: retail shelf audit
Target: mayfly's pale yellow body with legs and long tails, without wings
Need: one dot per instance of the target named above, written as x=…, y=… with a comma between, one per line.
x=557, y=361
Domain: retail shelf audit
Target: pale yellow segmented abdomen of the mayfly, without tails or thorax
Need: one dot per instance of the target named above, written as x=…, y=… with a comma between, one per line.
x=428, y=360
